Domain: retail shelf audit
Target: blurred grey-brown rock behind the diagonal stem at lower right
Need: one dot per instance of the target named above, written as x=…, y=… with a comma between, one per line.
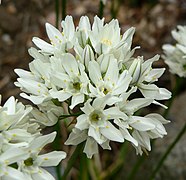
x=174, y=166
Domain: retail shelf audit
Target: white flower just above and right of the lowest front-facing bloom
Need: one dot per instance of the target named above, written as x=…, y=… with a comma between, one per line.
x=108, y=82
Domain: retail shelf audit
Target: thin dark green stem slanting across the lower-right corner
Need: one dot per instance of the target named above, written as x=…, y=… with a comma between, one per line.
x=160, y=163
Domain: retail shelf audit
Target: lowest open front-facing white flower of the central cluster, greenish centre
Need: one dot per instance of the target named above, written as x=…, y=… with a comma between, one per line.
x=95, y=125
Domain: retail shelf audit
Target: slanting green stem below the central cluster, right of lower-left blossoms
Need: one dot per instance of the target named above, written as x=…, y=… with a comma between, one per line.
x=72, y=160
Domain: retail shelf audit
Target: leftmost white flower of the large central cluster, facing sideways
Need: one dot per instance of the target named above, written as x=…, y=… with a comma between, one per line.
x=37, y=82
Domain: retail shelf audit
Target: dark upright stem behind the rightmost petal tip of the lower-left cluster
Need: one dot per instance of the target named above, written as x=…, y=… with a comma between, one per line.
x=57, y=146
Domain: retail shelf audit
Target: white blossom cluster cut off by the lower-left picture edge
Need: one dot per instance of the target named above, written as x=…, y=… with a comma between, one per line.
x=21, y=143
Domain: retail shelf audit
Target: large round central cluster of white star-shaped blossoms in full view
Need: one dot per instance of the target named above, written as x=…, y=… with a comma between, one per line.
x=91, y=71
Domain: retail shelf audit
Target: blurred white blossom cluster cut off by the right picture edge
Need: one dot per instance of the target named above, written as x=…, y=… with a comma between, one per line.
x=175, y=55
